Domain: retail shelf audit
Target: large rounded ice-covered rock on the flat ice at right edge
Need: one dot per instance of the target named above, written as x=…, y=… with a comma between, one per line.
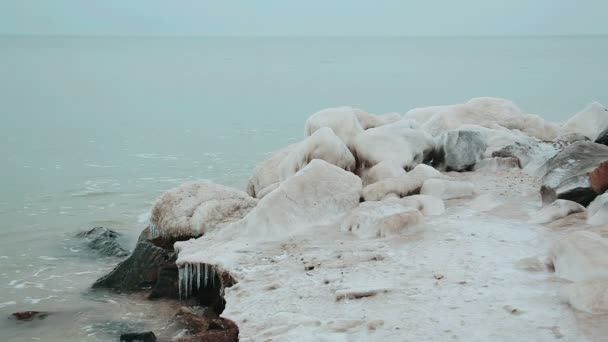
x=580, y=256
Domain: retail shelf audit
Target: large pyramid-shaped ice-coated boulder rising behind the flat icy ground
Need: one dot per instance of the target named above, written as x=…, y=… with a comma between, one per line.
x=317, y=194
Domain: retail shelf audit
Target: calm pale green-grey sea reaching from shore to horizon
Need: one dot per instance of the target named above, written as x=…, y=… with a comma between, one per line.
x=94, y=129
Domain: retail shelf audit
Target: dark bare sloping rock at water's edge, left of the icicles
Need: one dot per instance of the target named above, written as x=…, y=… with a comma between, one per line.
x=139, y=271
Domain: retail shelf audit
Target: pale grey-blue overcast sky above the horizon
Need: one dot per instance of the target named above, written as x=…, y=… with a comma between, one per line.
x=304, y=17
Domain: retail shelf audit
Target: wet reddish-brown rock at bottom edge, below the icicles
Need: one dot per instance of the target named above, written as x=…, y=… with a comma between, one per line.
x=204, y=325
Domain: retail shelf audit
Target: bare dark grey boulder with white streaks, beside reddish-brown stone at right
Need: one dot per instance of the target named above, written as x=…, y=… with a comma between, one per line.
x=568, y=170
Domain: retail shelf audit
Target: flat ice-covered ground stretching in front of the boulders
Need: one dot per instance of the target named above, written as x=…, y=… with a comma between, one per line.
x=475, y=273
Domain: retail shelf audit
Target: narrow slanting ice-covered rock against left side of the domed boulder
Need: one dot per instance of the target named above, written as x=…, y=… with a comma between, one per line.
x=267, y=174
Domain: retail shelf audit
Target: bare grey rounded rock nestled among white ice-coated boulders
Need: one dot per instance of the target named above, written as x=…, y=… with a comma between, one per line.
x=459, y=150
